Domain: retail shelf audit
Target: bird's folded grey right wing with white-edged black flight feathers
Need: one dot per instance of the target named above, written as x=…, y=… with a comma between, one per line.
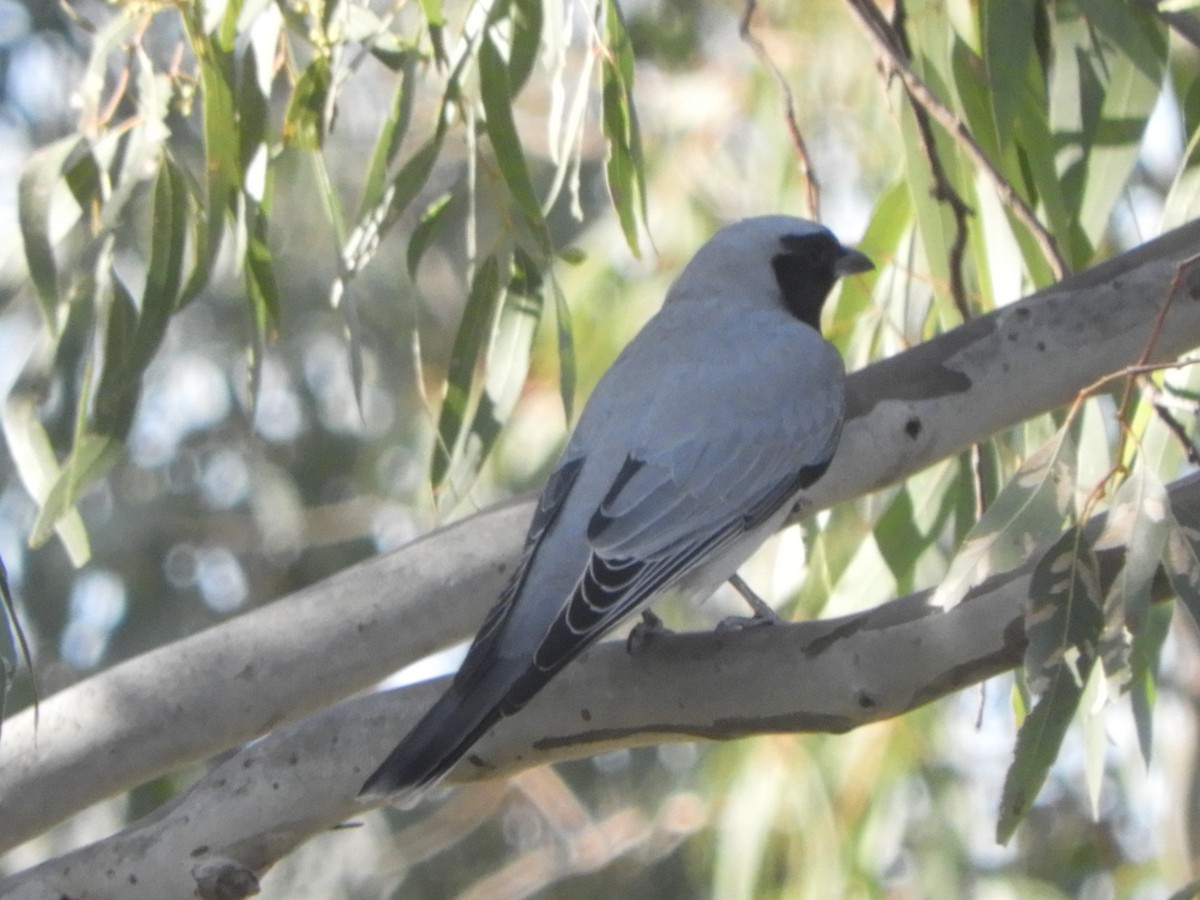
x=710, y=466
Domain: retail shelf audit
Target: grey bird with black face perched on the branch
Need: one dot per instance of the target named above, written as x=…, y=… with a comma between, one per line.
x=724, y=407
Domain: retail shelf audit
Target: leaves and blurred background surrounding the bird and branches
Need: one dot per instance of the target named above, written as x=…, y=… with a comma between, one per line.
x=287, y=285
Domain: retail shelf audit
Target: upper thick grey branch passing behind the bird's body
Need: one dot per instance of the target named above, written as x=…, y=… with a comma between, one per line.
x=245, y=677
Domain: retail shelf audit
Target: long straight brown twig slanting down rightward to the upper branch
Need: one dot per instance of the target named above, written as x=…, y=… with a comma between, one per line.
x=884, y=38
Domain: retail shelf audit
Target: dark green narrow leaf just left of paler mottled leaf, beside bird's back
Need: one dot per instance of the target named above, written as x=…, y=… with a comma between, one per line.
x=475, y=333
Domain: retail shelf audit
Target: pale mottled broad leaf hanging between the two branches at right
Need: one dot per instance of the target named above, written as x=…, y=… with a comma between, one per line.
x=1027, y=515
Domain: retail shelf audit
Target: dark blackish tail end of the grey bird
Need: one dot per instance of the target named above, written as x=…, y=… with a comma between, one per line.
x=437, y=742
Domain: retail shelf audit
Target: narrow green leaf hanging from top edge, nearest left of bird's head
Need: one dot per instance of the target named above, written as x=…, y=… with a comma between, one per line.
x=626, y=169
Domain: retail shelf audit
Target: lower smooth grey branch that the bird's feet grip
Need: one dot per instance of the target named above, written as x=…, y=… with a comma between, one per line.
x=829, y=676
